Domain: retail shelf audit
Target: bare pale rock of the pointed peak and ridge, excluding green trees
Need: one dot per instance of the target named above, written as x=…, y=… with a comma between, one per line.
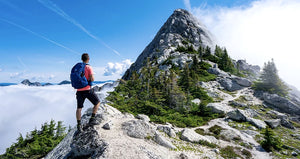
x=246, y=112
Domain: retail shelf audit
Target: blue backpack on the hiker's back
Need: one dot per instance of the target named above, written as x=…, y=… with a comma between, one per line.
x=77, y=76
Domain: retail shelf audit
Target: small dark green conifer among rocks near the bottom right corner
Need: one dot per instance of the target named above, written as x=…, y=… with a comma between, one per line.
x=270, y=142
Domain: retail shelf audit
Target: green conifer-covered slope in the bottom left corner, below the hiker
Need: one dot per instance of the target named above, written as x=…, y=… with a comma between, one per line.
x=37, y=143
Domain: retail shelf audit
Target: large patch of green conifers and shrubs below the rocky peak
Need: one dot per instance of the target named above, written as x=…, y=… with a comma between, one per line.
x=166, y=97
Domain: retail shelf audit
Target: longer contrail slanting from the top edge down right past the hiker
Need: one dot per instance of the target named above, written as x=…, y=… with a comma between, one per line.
x=50, y=5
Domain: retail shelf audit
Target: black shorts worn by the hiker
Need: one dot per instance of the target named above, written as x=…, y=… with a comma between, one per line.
x=89, y=94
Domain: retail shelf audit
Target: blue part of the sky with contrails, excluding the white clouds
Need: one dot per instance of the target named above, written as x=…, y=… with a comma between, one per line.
x=42, y=39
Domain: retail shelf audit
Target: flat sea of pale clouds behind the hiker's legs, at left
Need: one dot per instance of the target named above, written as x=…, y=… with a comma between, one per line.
x=23, y=108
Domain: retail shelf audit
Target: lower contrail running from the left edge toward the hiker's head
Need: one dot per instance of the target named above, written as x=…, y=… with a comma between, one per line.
x=38, y=35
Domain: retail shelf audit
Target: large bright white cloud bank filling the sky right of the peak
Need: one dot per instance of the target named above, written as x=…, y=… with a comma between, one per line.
x=263, y=30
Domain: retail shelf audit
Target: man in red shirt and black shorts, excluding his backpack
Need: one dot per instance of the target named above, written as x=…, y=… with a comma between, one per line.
x=86, y=92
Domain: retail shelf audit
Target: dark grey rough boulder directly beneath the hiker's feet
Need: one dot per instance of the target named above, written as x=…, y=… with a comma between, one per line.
x=88, y=143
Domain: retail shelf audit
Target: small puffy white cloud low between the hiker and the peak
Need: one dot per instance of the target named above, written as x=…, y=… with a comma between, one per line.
x=117, y=68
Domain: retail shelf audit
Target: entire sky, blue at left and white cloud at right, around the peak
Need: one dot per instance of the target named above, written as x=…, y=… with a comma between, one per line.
x=42, y=39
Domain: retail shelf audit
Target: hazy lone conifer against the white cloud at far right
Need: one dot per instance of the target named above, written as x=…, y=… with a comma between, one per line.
x=270, y=81
